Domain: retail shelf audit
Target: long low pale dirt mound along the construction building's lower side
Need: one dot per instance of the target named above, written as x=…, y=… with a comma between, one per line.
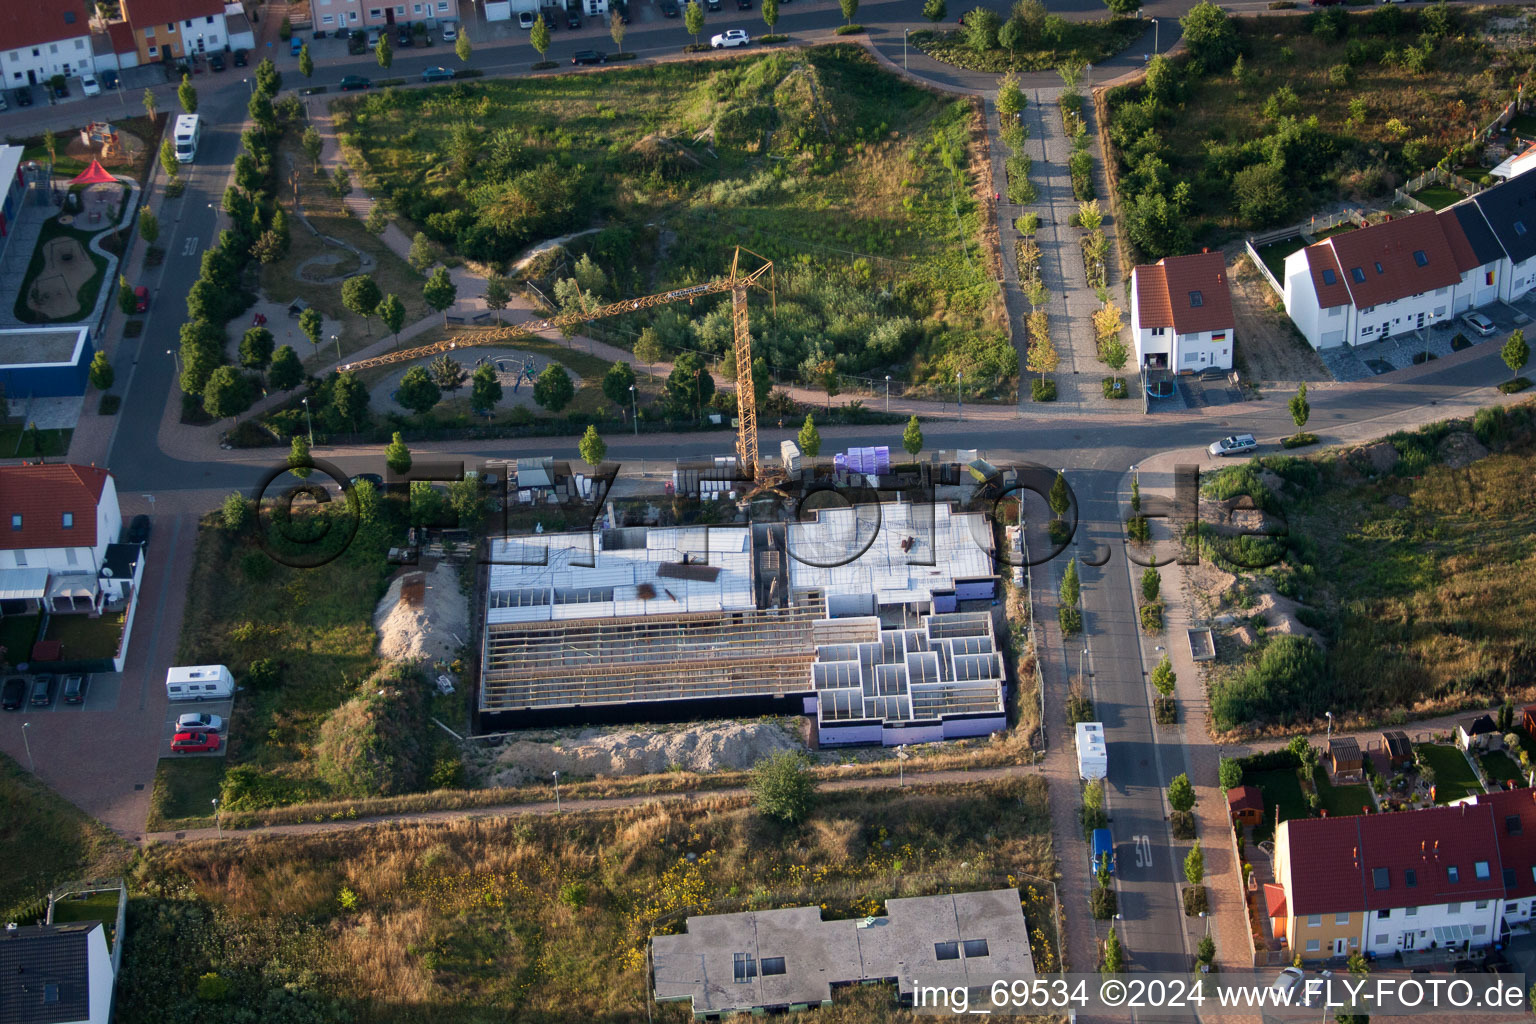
x=700, y=748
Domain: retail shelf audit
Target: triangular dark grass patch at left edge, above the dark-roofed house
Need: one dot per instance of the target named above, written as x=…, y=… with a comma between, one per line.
x=47, y=841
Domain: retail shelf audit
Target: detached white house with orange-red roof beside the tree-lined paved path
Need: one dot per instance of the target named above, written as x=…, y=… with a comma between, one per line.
x=1182, y=314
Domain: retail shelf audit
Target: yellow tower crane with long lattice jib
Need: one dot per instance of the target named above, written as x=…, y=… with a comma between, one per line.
x=737, y=285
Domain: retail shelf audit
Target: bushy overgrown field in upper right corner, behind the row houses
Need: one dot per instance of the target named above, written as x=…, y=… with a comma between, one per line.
x=1268, y=121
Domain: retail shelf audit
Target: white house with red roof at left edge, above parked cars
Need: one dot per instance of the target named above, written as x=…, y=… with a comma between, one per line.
x=56, y=527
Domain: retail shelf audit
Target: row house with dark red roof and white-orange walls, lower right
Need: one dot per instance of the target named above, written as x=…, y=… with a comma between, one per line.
x=1385, y=884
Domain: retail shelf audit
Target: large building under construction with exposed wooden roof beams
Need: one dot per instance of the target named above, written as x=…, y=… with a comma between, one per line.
x=875, y=619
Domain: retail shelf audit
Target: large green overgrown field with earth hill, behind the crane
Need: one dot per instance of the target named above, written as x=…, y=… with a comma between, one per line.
x=861, y=188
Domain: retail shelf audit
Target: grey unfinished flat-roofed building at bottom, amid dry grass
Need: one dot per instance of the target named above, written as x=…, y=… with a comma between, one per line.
x=764, y=962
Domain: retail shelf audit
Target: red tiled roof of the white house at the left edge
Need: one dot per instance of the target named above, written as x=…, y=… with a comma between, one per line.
x=41, y=495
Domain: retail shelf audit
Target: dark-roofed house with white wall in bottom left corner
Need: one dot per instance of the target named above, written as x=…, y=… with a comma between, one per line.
x=56, y=974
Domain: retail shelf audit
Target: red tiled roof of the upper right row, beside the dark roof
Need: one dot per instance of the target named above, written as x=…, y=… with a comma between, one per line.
x=1385, y=259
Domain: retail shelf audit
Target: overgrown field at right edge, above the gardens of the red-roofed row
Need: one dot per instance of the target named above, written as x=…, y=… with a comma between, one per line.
x=1420, y=578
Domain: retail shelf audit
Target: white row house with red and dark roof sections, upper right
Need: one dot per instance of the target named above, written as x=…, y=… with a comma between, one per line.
x=1408, y=274
